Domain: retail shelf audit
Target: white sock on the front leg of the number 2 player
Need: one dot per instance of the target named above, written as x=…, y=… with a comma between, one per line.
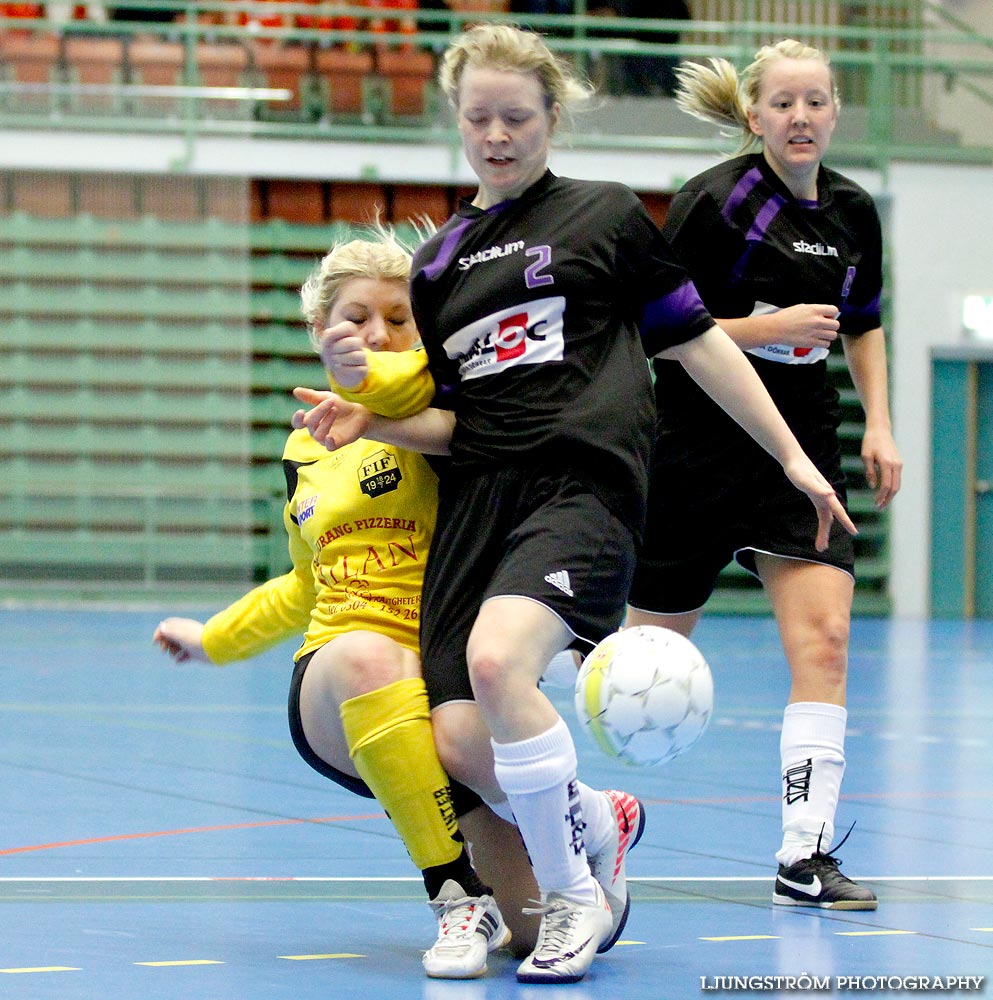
x=538, y=776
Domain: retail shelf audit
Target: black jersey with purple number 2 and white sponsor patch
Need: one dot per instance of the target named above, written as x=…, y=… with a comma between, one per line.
x=537, y=315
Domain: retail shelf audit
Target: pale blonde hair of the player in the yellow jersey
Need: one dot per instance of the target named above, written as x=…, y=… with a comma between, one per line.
x=382, y=257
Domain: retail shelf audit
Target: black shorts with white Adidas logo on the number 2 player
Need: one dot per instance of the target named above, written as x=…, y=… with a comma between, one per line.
x=520, y=532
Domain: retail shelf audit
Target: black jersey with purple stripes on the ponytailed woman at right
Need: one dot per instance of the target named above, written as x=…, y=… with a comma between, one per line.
x=751, y=247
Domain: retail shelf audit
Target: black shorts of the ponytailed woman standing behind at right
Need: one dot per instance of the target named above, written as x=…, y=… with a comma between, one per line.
x=688, y=543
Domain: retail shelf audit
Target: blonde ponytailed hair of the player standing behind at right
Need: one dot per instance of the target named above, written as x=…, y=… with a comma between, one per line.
x=715, y=93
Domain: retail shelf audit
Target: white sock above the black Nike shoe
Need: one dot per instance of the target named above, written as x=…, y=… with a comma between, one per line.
x=812, y=751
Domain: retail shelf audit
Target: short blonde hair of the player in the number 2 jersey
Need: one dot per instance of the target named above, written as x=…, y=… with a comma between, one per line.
x=505, y=47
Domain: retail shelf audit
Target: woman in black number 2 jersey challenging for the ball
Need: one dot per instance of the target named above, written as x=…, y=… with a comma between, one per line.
x=538, y=302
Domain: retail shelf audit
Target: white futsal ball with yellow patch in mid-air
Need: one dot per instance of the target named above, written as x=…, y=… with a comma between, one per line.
x=644, y=695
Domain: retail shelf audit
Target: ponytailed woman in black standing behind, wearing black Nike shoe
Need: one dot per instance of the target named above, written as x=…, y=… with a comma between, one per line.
x=787, y=254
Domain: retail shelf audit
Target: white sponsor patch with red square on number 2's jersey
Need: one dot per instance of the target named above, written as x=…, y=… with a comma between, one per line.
x=526, y=334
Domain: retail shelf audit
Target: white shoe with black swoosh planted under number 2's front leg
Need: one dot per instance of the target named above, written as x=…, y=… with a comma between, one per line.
x=569, y=937
